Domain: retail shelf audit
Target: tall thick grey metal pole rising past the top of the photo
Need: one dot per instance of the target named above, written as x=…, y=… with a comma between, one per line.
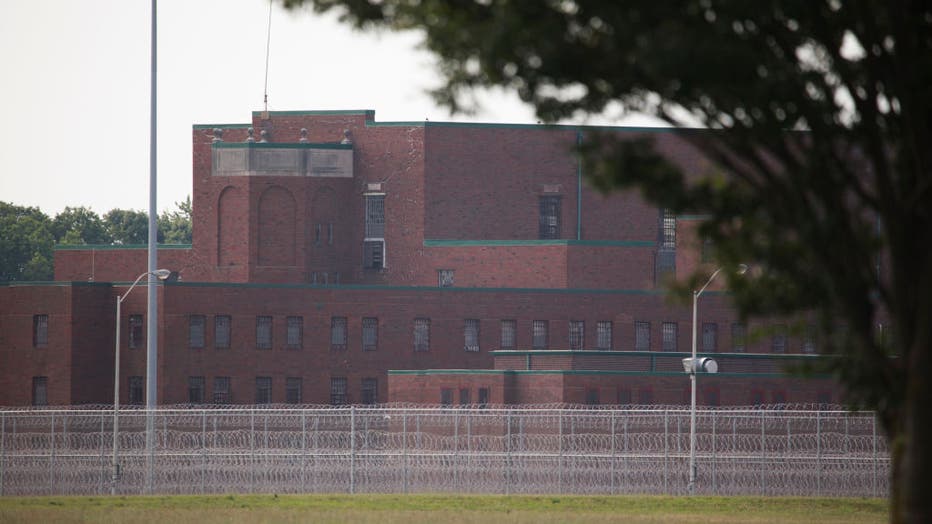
x=152, y=327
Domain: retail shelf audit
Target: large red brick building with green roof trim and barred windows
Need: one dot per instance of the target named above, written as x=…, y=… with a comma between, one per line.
x=340, y=259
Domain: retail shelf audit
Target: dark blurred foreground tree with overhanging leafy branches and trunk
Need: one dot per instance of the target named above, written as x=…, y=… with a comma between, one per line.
x=818, y=116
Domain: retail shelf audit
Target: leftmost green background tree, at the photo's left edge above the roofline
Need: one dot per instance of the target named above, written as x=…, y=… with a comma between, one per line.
x=25, y=244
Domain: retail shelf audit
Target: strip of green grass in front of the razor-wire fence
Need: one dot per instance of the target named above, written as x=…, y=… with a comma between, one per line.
x=441, y=509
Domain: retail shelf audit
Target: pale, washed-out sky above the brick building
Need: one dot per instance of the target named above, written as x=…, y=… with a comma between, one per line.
x=75, y=88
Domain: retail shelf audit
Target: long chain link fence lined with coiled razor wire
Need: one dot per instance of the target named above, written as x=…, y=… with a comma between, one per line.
x=761, y=451
